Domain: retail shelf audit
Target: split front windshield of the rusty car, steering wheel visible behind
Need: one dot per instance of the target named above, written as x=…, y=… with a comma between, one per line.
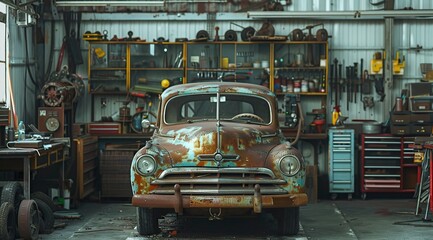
x=232, y=107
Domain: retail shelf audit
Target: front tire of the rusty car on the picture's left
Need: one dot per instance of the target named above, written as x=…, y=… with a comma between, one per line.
x=147, y=221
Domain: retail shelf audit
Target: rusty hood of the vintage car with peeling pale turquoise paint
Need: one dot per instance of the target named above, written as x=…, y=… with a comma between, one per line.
x=234, y=144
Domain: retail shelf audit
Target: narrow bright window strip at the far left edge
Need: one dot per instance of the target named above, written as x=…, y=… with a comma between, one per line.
x=3, y=44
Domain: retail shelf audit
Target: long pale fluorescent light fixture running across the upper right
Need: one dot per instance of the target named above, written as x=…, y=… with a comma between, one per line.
x=340, y=15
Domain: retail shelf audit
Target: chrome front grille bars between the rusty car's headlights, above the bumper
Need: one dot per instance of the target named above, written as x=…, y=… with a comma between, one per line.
x=221, y=181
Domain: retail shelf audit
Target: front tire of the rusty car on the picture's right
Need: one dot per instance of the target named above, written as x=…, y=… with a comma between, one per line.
x=288, y=221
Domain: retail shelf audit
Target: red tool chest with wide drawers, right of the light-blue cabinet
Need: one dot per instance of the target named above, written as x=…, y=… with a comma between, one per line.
x=386, y=161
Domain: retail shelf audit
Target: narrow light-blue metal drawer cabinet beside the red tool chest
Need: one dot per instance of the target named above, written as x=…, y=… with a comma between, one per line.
x=341, y=161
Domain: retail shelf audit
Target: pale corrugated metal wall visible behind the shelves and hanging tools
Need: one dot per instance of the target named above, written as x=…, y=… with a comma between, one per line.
x=351, y=41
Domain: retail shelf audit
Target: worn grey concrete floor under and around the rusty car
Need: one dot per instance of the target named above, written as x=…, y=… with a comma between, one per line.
x=385, y=218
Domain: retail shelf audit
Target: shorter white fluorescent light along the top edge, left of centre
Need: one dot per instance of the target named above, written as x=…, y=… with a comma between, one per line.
x=109, y=3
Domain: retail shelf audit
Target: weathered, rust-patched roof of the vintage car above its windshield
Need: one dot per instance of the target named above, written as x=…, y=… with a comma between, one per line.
x=214, y=87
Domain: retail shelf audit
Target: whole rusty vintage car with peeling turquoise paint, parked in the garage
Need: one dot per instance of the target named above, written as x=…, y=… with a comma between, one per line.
x=217, y=151
